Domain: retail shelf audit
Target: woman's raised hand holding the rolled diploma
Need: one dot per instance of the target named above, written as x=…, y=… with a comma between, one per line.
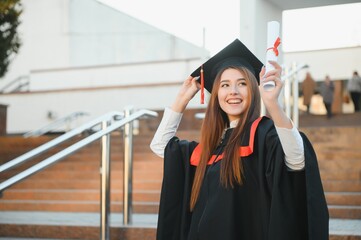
x=270, y=97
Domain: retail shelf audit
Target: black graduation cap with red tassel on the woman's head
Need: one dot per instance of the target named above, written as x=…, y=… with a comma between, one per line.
x=235, y=54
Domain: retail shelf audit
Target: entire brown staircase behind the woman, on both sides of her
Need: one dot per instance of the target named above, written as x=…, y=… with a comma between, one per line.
x=71, y=188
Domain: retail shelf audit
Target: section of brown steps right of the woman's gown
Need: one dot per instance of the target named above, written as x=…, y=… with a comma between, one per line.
x=339, y=155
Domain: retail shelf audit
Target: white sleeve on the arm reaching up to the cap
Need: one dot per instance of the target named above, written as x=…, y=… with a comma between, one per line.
x=166, y=130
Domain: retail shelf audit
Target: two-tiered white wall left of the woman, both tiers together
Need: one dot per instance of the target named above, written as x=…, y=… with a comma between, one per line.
x=96, y=91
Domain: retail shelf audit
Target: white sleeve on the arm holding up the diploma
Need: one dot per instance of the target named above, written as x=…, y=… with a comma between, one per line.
x=292, y=145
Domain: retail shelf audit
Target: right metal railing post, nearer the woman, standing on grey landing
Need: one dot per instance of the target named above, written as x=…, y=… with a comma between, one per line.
x=128, y=169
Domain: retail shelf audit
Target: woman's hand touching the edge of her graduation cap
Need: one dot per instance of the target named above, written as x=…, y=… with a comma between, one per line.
x=188, y=90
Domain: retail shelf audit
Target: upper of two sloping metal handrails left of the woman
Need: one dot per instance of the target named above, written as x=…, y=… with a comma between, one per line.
x=27, y=156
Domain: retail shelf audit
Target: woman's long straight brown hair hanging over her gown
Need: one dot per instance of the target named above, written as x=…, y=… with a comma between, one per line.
x=231, y=167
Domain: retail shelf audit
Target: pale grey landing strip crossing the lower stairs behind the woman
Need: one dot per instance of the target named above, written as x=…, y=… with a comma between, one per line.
x=337, y=226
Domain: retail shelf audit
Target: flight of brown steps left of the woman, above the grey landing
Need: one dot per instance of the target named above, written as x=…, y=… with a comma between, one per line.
x=73, y=184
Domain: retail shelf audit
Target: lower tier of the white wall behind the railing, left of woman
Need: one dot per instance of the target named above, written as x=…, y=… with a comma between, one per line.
x=28, y=111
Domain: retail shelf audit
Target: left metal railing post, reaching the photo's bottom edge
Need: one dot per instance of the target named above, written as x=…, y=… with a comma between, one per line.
x=105, y=184
